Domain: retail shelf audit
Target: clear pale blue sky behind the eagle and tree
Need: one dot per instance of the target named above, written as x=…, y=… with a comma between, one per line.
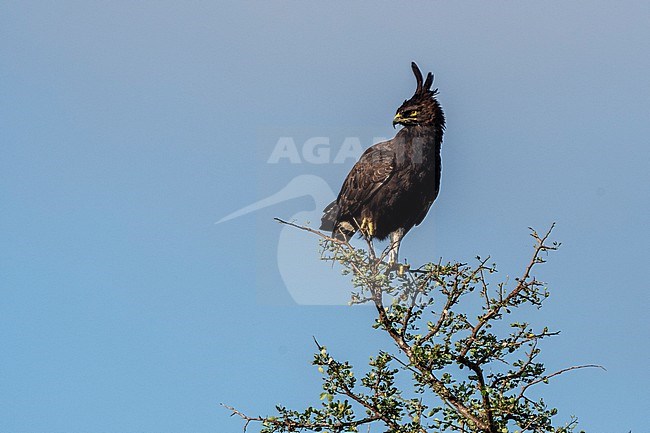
x=128, y=129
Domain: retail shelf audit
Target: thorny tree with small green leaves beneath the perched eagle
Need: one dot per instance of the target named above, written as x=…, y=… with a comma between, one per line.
x=467, y=372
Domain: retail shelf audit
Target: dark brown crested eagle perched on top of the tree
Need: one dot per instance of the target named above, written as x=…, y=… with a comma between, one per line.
x=395, y=182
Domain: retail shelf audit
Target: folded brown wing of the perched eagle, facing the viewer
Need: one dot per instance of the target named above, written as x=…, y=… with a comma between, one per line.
x=374, y=169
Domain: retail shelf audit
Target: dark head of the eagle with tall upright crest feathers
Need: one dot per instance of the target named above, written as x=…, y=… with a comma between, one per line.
x=422, y=108
